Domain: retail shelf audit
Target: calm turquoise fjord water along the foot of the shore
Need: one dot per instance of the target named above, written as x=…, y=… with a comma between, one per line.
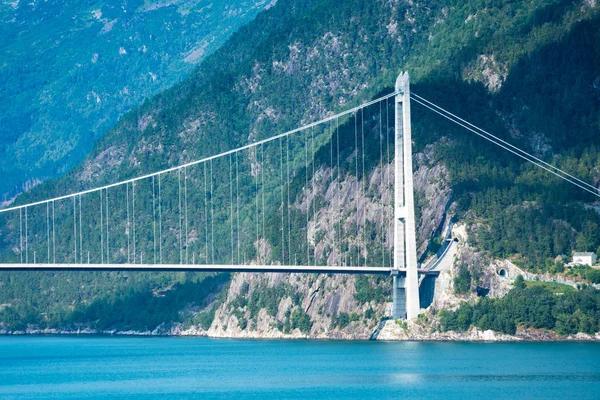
x=158, y=368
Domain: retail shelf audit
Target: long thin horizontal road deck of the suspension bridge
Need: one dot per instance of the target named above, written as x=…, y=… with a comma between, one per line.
x=208, y=268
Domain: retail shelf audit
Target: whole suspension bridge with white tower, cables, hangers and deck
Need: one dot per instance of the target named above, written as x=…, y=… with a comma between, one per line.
x=334, y=196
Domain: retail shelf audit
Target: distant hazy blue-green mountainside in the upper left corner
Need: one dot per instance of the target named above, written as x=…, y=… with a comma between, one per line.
x=69, y=70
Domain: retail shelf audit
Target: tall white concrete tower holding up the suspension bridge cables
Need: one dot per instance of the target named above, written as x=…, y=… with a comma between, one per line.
x=405, y=290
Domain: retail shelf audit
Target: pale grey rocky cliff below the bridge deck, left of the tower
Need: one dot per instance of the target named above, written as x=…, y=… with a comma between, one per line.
x=322, y=298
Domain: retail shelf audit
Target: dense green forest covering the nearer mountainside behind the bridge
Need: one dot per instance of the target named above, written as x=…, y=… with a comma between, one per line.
x=328, y=56
